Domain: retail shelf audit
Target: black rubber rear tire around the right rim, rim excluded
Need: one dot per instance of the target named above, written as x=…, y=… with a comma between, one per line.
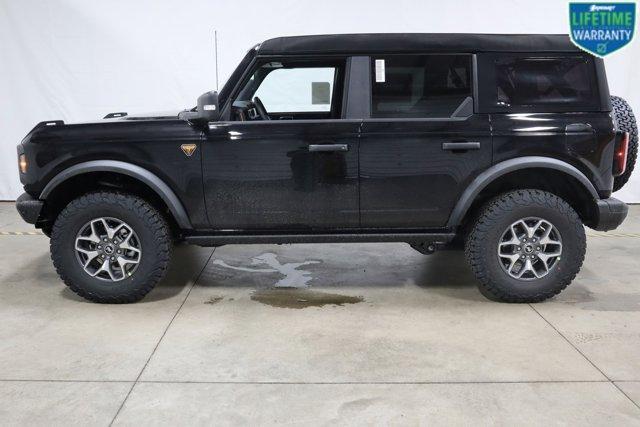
x=494, y=218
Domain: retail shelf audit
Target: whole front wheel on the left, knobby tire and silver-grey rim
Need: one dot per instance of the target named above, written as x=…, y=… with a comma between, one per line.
x=110, y=247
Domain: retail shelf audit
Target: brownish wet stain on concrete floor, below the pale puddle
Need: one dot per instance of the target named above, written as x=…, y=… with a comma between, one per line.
x=301, y=298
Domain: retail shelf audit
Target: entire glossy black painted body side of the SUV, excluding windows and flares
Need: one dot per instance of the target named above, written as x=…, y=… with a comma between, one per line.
x=395, y=175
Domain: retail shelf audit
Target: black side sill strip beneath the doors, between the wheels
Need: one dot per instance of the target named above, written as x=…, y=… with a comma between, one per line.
x=437, y=239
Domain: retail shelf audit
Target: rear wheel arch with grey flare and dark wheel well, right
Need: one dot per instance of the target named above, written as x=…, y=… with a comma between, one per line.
x=541, y=173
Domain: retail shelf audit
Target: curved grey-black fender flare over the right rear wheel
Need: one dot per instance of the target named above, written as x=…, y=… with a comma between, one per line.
x=502, y=168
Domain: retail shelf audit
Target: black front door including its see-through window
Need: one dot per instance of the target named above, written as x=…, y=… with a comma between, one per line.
x=286, y=160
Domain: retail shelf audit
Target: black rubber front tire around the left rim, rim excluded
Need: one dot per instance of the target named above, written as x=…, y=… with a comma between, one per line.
x=149, y=225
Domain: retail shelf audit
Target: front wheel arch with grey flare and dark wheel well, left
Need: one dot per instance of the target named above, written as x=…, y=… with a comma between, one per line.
x=93, y=175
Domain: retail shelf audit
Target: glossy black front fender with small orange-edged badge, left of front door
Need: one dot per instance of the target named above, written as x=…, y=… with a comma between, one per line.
x=154, y=145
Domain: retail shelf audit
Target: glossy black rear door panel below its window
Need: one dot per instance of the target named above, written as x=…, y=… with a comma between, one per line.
x=407, y=179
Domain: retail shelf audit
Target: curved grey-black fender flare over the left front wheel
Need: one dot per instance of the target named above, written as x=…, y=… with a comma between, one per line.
x=143, y=175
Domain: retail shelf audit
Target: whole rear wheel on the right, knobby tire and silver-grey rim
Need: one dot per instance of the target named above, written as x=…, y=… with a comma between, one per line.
x=525, y=246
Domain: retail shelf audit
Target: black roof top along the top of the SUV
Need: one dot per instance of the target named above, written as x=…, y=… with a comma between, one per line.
x=416, y=42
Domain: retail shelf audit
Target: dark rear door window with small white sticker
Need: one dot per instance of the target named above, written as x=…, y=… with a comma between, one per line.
x=415, y=86
